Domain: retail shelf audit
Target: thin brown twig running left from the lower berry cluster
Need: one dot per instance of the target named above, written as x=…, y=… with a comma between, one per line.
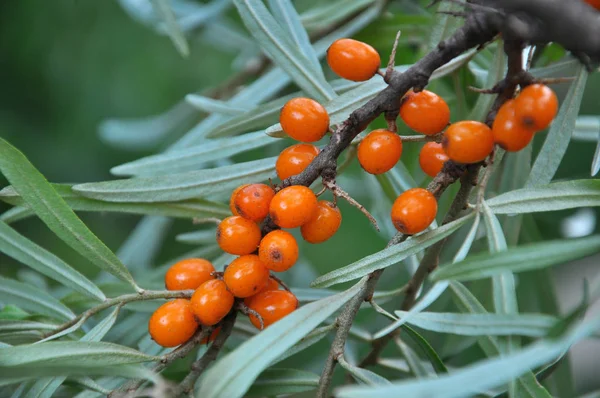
x=122, y=300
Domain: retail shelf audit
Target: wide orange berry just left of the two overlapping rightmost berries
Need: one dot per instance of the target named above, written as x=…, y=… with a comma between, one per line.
x=468, y=141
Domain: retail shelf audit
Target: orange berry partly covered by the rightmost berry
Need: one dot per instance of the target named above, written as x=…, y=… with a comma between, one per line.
x=508, y=132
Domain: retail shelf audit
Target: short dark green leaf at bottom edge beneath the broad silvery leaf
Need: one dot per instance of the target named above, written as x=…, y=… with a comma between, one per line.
x=282, y=381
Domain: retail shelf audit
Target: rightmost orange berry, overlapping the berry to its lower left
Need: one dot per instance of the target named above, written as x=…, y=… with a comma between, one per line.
x=536, y=106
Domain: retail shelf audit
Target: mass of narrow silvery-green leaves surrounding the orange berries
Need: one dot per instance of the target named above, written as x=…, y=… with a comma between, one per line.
x=74, y=321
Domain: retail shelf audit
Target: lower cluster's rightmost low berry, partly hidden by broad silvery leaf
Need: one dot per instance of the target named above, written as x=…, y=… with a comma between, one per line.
x=272, y=305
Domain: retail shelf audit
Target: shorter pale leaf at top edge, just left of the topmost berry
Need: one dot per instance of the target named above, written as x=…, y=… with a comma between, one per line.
x=287, y=16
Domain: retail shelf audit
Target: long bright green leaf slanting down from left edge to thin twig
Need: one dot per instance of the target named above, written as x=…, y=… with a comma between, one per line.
x=55, y=213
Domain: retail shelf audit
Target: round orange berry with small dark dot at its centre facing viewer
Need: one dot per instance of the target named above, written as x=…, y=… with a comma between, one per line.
x=278, y=250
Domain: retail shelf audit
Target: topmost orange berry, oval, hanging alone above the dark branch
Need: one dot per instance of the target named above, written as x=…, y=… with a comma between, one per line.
x=353, y=60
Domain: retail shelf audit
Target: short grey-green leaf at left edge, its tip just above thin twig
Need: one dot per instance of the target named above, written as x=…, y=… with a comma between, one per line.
x=31, y=299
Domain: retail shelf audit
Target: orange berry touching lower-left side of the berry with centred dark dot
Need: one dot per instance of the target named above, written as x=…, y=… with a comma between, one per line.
x=246, y=275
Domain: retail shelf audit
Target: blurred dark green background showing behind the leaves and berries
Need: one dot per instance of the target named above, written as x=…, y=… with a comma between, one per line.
x=68, y=65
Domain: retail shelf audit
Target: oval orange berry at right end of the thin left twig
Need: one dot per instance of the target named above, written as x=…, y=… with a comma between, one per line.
x=188, y=274
